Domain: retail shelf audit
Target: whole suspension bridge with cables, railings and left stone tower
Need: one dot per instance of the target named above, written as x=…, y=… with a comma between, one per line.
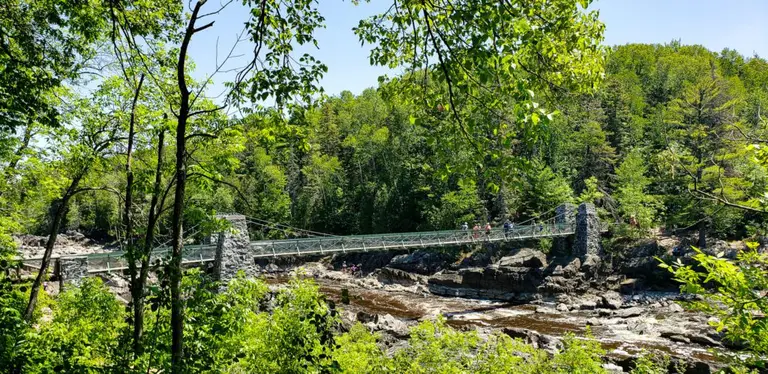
x=560, y=223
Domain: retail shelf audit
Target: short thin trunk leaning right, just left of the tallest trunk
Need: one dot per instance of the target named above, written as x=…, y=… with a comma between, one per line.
x=138, y=291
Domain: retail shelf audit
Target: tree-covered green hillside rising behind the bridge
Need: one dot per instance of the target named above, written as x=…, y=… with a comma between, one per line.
x=669, y=138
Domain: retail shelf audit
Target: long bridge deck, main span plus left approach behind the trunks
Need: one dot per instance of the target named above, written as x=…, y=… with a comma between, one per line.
x=195, y=254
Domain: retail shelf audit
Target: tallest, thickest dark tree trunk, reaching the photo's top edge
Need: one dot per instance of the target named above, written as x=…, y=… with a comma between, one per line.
x=177, y=311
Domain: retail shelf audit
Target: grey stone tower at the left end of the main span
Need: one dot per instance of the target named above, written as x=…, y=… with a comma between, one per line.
x=233, y=252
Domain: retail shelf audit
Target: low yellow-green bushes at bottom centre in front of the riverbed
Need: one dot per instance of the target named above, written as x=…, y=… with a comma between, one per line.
x=435, y=347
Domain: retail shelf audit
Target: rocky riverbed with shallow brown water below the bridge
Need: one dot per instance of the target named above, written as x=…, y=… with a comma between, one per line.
x=626, y=325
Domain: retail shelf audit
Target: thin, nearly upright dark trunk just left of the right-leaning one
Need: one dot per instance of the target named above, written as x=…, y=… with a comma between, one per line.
x=127, y=220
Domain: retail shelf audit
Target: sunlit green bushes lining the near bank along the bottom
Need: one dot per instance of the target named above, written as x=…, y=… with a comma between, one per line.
x=248, y=329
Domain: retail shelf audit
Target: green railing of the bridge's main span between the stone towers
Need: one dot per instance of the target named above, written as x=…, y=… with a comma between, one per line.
x=372, y=242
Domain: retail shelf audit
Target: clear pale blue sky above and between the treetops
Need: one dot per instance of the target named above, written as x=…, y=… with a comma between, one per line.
x=738, y=24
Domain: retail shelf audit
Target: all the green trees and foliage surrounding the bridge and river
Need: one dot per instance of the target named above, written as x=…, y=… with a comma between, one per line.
x=503, y=112
